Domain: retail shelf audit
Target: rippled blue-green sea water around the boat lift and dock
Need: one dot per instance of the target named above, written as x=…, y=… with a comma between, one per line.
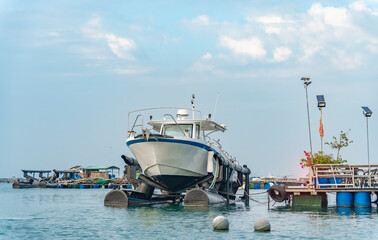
x=81, y=214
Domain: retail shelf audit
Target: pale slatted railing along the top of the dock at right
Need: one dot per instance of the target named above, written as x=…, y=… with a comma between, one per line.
x=343, y=176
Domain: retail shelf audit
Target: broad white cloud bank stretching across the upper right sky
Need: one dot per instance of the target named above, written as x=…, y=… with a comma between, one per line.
x=336, y=36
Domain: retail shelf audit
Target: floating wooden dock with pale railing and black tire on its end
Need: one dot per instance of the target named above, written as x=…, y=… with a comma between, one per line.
x=327, y=178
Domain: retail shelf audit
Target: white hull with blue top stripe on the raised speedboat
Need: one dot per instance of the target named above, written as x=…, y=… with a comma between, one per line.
x=172, y=162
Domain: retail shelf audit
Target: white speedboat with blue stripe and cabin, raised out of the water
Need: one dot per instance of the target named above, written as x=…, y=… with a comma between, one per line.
x=176, y=151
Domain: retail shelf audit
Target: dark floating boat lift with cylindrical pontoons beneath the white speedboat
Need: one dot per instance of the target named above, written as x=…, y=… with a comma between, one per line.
x=203, y=192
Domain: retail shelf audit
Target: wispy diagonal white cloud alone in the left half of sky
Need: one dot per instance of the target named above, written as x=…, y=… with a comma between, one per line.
x=119, y=46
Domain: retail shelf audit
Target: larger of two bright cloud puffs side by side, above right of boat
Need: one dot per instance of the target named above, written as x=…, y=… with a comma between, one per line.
x=252, y=47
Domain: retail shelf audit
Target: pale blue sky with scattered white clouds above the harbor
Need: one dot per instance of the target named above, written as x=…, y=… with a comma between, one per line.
x=70, y=71
